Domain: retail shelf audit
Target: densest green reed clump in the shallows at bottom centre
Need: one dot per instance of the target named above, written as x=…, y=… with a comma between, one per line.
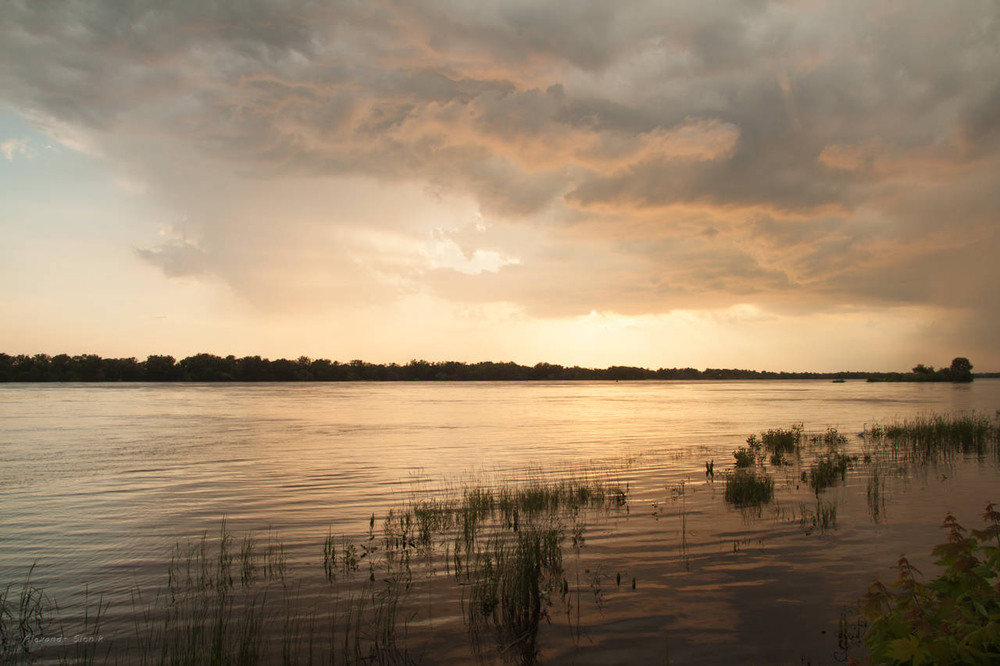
x=503, y=544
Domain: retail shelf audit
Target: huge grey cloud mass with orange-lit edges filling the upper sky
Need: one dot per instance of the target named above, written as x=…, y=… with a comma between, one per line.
x=637, y=157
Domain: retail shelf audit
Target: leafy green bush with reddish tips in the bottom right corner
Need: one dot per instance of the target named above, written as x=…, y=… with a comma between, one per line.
x=953, y=619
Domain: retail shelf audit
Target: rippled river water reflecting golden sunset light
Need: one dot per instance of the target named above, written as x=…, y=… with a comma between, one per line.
x=99, y=481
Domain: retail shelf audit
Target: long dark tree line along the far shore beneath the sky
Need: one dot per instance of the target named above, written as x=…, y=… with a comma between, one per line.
x=212, y=368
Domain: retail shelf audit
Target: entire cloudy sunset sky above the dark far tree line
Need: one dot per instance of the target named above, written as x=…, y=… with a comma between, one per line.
x=797, y=185
